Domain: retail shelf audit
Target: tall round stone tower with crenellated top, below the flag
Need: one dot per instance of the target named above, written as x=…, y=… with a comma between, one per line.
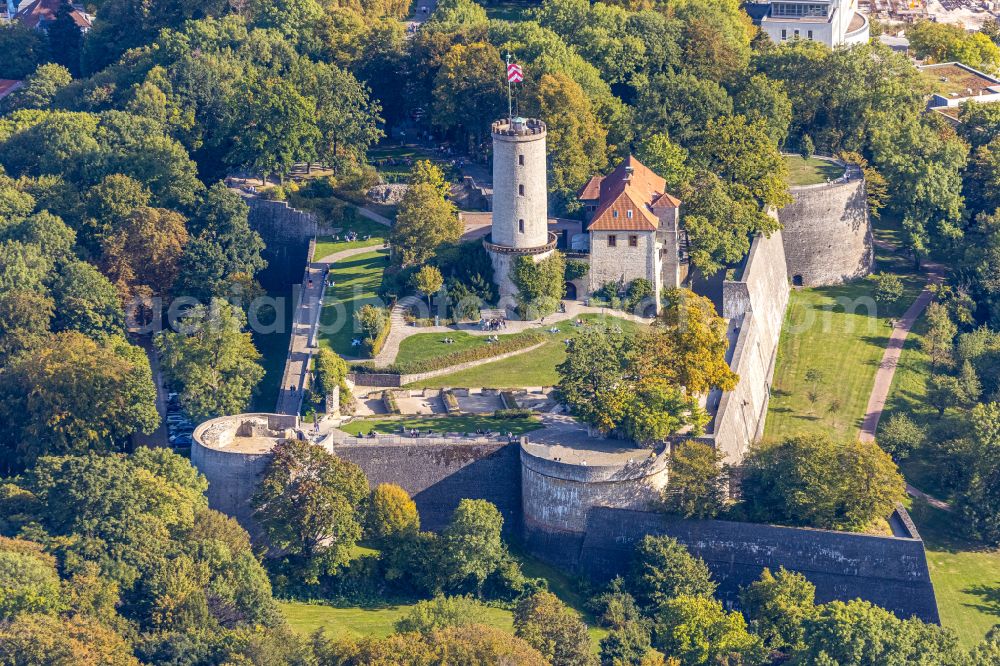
x=520, y=201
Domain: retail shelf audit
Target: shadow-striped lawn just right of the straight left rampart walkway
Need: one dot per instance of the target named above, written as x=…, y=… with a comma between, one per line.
x=357, y=280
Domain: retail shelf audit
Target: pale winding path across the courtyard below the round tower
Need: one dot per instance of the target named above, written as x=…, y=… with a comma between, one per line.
x=401, y=330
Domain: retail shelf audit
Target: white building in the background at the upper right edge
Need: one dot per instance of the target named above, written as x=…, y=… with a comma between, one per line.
x=831, y=22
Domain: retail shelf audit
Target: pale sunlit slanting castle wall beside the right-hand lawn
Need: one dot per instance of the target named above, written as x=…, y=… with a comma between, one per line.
x=755, y=303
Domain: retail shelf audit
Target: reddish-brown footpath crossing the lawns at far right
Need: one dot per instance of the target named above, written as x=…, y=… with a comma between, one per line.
x=890, y=360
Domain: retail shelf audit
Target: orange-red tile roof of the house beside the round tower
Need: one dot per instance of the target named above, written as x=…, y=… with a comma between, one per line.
x=626, y=198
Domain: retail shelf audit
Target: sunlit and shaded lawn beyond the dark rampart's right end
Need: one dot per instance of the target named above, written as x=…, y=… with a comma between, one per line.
x=966, y=576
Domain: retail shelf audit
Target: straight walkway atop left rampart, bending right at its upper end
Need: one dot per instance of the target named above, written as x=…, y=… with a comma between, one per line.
x=307, y=313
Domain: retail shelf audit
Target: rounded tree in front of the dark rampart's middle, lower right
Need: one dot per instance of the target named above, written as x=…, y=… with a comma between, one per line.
x=777, y=605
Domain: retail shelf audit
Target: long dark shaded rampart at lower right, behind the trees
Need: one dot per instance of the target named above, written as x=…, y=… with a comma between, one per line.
x=888, y=571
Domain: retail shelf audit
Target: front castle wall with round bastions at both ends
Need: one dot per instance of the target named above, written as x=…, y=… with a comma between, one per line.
x=544, y=485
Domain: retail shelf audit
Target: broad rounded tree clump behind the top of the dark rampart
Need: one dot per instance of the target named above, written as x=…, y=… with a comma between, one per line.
x=814, y=481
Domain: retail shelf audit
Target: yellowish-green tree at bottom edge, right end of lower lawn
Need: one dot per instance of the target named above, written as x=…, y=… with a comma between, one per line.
x=552, y=628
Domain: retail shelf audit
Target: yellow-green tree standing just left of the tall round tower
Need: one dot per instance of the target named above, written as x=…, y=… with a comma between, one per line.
x=425, y=221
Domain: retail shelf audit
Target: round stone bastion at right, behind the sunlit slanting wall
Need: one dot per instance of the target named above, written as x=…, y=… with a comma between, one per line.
x=826, y=231
